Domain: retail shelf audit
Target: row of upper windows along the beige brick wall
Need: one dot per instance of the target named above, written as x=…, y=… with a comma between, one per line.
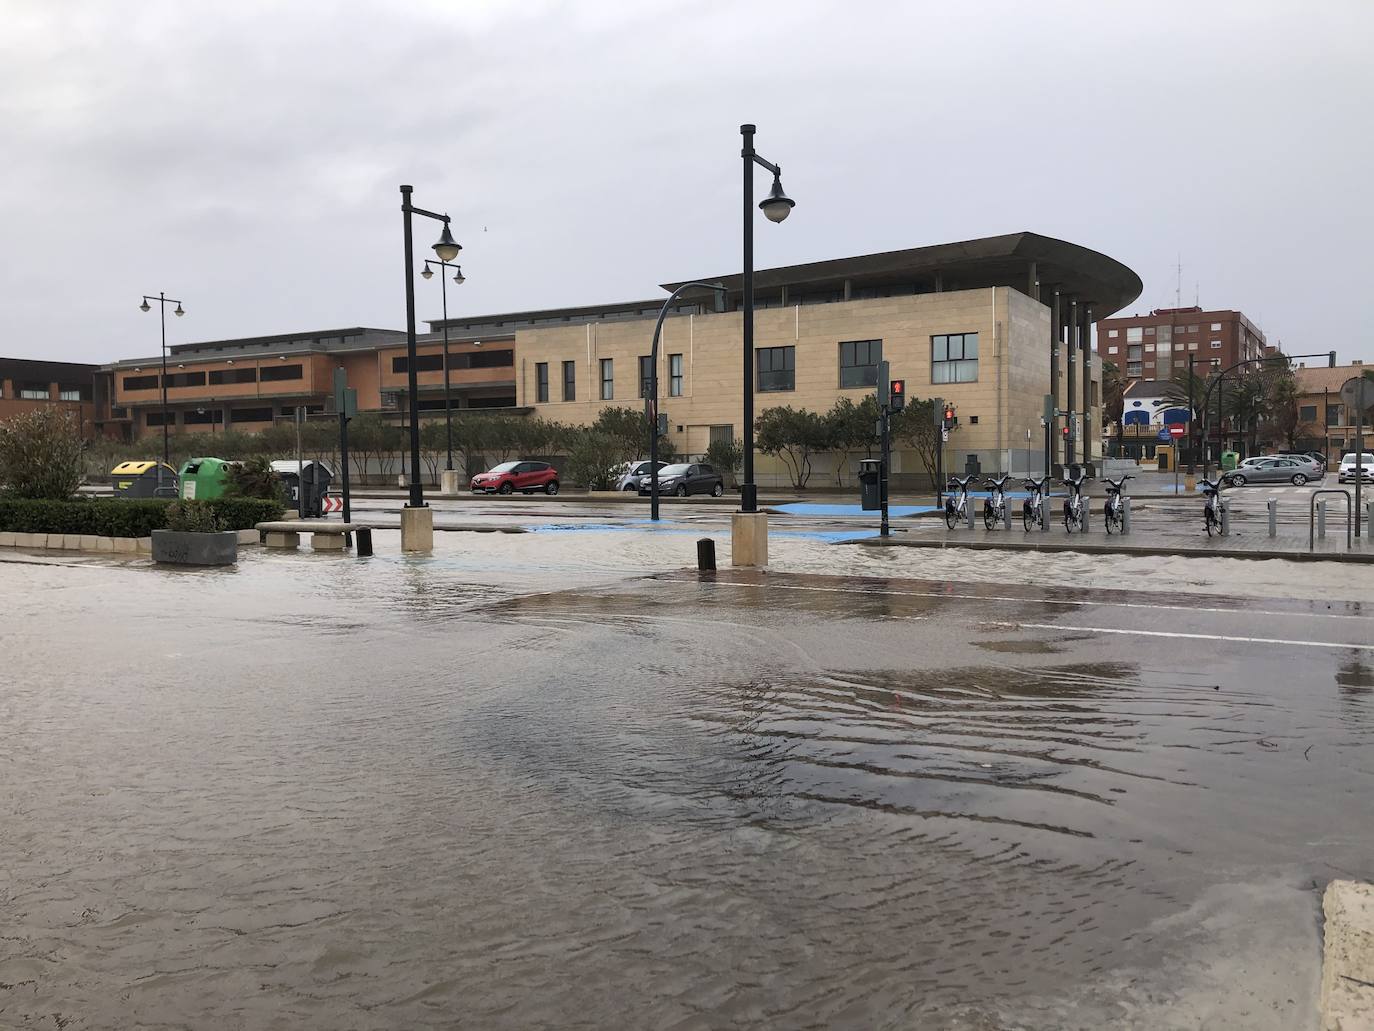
x=954, y=359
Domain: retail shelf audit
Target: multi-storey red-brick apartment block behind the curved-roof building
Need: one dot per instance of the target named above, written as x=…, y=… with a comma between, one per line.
x=1158, y=346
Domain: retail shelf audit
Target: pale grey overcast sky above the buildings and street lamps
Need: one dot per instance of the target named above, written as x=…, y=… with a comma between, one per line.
x=245, y=157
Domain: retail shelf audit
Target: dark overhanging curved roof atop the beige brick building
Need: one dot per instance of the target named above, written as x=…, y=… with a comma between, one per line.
x=1077, y=271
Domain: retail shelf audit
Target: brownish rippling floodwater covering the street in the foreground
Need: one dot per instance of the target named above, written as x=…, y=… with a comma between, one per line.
x=521, y=786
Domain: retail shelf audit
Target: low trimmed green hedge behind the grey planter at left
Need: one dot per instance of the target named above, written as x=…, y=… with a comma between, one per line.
x=120, y=518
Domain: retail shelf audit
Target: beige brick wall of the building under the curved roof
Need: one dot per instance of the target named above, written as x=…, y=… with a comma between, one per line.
x=1013, y=368
